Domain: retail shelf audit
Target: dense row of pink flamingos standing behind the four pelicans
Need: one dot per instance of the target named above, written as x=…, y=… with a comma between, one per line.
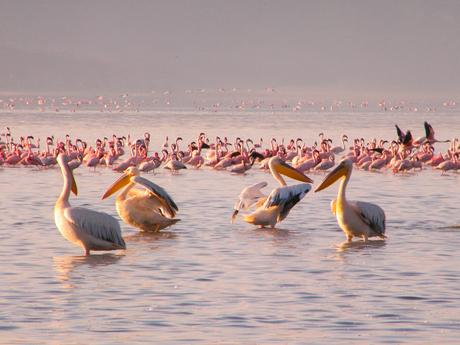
x=400, y=155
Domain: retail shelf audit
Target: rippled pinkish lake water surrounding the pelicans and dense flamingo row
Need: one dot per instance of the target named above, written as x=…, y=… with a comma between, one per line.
x=208, y=281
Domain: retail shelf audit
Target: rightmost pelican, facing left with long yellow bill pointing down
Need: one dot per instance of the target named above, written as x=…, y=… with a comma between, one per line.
x=355, y=218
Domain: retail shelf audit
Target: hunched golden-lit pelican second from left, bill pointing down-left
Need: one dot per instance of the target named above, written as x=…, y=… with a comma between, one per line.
x=149, y=209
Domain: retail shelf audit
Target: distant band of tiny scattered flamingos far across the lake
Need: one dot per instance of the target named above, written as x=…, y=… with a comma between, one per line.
x=209, y=100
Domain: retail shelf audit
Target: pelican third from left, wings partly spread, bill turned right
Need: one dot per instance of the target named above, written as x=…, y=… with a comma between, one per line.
x=276, y=206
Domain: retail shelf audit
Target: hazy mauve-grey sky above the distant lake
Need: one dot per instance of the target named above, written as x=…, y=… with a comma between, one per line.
x=407, y=48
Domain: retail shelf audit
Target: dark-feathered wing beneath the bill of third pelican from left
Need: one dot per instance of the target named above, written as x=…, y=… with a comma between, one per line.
x=286, y=198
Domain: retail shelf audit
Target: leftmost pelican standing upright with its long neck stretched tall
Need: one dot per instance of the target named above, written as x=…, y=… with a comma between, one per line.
x=87, y=228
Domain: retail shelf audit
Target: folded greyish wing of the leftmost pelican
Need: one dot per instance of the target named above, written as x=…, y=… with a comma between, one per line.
x=97, y=224
